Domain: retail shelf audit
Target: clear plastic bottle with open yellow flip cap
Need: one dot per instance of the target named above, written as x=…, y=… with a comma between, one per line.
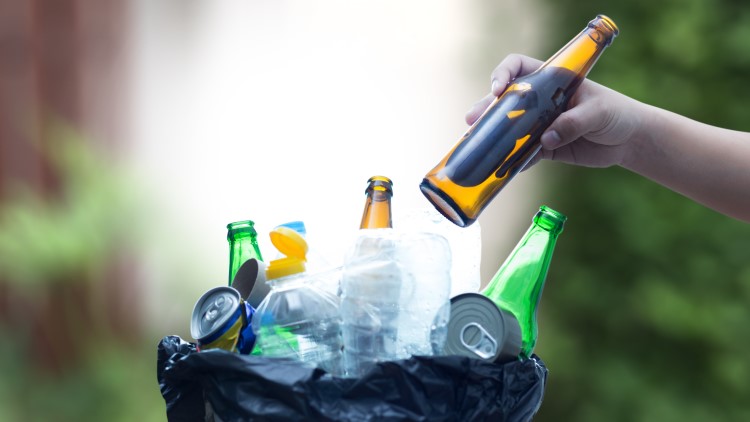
x=297, y=320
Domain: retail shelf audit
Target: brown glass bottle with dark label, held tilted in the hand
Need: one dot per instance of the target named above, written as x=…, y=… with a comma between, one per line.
x=506, y=137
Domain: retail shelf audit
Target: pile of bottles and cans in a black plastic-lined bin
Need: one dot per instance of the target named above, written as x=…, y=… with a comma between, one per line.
x=398, y=331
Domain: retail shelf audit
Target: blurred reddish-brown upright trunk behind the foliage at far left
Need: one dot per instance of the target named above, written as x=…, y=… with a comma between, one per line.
x=61, y=59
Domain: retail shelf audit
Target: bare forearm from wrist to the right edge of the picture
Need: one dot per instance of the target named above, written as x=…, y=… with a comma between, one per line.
x=708, y=164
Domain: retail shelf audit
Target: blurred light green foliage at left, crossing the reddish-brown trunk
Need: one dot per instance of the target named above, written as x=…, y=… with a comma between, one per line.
x=42, y=236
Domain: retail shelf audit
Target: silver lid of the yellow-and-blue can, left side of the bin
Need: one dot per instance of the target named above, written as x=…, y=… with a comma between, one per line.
x=212, y=311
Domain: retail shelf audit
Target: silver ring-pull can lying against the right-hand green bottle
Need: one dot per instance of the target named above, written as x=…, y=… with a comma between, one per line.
x=479, y=329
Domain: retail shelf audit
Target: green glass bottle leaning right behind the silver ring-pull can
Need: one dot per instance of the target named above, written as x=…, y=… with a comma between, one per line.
x=517, y=285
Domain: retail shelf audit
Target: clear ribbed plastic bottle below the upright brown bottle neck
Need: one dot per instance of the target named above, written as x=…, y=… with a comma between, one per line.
x=395, y=297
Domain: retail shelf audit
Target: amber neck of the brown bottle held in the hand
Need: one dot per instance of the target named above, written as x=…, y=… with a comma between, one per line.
x=582, y=52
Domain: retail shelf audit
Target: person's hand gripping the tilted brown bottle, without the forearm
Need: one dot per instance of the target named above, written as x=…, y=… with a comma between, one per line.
x=594, y=131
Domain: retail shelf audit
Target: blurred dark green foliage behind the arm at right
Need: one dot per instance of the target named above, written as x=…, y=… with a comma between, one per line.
x=646, y=311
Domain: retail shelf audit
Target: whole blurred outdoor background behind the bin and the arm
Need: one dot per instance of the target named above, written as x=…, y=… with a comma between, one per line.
x=132, y=132
